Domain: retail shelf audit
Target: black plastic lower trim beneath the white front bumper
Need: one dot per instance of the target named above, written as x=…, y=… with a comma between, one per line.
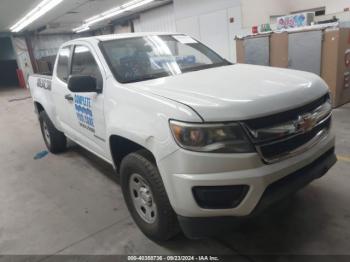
x=200, y=227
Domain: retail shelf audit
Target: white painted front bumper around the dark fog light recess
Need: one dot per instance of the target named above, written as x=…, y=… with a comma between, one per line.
x=183, y=170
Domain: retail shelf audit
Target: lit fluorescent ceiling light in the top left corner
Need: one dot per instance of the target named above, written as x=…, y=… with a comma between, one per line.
x=38, y=11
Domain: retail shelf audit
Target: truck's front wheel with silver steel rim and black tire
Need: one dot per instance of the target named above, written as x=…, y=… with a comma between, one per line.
x=146, y=198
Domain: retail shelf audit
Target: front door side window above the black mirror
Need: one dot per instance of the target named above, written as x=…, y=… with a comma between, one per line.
x=85, y=64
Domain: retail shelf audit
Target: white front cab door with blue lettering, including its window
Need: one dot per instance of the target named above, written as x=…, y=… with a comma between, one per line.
x=83, y=115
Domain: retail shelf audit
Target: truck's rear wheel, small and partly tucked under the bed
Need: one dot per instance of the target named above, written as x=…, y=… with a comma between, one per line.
x=56, y=141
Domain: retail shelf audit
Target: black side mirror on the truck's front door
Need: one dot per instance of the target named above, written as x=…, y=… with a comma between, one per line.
x=82, y=84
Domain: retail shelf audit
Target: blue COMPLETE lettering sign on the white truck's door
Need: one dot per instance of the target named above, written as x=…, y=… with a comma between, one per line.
x=84, y=112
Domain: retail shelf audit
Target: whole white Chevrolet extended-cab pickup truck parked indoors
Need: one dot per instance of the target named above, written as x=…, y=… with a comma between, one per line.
x=196, y=140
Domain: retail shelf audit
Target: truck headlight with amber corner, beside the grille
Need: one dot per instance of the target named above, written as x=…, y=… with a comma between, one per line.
x=214, y=138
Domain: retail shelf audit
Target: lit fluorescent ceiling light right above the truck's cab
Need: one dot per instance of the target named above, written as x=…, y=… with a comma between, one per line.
x=112, y=12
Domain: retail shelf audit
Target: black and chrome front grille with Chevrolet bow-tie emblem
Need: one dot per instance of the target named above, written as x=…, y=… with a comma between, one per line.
x=295, y=131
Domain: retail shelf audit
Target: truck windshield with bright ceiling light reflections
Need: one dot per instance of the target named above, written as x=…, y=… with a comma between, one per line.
x=150, y=57
